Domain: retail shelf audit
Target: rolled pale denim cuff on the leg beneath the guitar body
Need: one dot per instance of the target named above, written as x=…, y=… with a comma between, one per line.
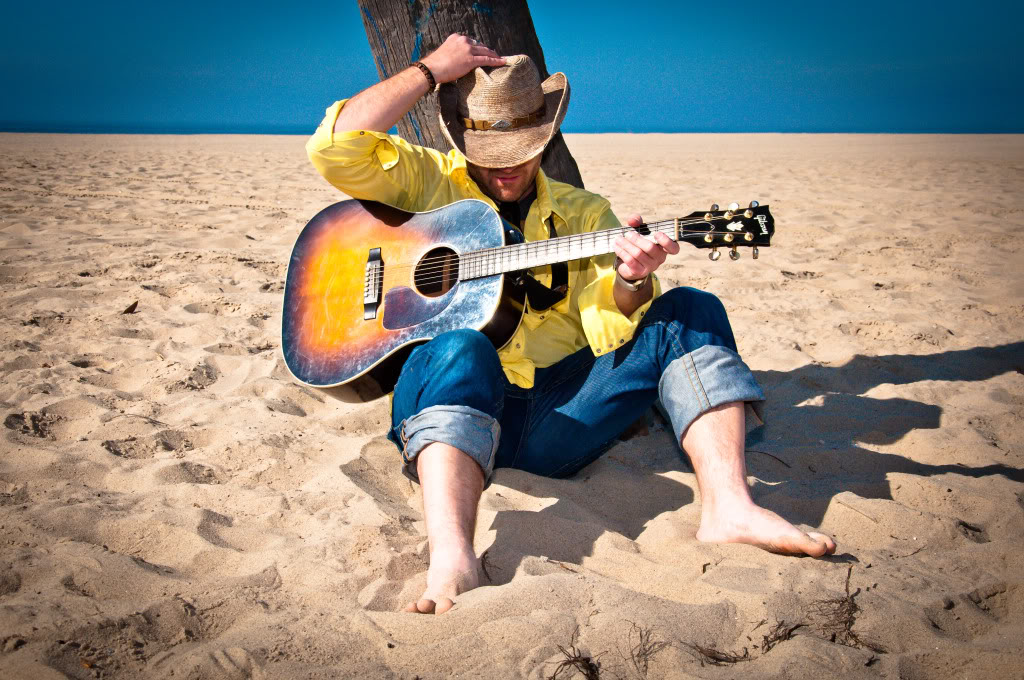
x=472, y=432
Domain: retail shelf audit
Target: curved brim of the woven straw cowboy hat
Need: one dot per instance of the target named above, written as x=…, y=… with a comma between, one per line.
x=503, y=149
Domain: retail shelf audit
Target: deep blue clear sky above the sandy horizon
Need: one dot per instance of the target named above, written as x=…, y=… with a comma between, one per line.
x=667, y=67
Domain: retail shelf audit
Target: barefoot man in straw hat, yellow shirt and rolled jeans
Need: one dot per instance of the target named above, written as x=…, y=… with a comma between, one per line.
x=599, y=343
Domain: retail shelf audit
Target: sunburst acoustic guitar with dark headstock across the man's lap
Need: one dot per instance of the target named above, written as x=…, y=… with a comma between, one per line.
x=367, y=282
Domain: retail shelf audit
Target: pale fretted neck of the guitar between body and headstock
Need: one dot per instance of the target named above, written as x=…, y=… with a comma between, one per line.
x=516, y=258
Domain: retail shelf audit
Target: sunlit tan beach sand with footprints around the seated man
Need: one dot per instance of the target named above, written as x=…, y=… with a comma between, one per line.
x=174, y=505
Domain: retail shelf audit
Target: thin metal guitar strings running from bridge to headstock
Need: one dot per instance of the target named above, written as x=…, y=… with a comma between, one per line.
x=436, y=266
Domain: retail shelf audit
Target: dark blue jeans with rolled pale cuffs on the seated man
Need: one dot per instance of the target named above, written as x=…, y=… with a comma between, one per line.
x=453, y=391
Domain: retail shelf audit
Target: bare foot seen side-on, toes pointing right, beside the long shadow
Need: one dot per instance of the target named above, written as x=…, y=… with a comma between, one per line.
x=757, y=527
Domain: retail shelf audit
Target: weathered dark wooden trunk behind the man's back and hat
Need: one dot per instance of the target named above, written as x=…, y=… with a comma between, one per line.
x=403, y=31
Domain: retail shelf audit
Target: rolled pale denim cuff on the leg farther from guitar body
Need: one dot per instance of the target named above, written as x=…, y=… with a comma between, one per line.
x=703, y=379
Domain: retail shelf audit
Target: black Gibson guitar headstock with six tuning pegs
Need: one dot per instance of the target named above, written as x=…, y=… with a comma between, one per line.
x=731, y=229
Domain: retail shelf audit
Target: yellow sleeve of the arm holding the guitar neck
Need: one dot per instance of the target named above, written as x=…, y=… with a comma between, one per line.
x=606, y=327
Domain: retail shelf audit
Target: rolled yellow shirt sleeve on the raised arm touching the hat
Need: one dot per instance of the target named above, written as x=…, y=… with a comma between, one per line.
x=371, y=165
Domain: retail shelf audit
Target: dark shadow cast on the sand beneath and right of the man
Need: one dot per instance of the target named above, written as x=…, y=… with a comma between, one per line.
x=819, y=415
